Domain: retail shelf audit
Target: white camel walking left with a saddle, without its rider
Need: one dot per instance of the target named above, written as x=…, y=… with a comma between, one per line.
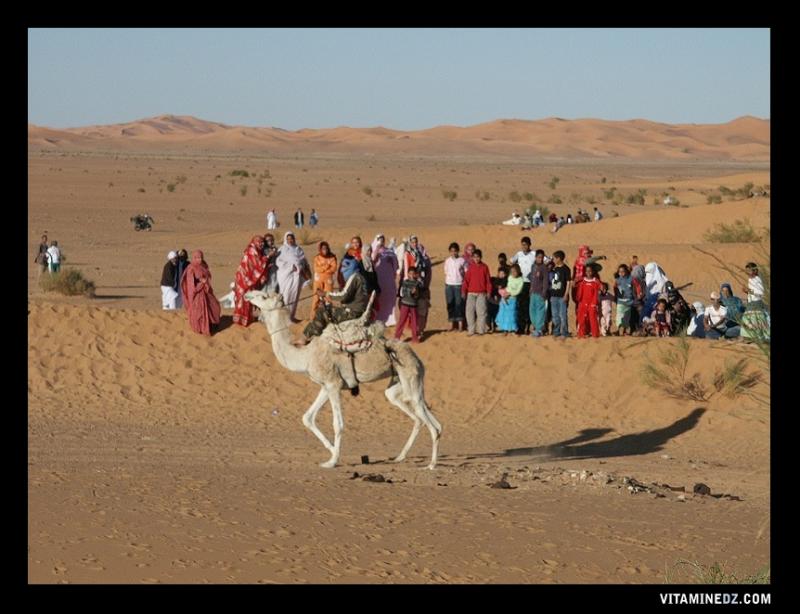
x=386, y=358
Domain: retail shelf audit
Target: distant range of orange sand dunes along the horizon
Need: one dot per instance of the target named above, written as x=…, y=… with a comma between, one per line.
x=745, y=138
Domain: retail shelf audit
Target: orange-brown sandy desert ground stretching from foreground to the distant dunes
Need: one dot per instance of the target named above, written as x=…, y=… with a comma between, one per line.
x=160, y=456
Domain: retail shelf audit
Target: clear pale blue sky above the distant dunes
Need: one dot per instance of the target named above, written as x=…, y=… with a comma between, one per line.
x=401, y=79
